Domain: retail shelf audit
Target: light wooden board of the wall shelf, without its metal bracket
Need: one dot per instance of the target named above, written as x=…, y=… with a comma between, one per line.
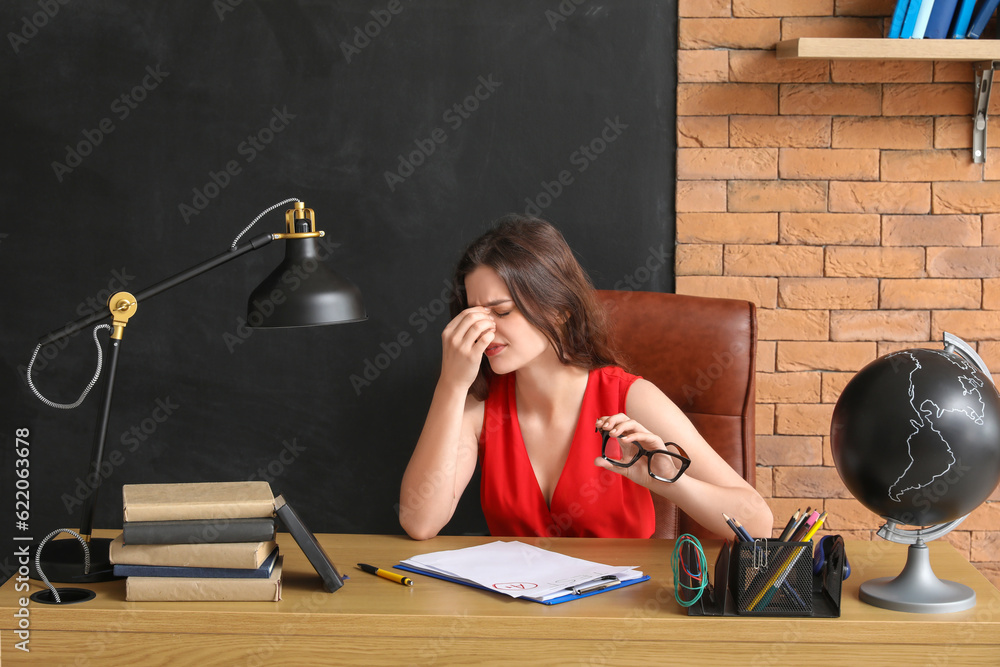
x=842, y=48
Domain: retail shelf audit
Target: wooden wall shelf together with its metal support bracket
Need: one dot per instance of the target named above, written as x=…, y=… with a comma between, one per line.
x=985, y=53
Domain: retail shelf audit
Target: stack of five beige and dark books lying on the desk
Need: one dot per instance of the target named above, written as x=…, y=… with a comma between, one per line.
x=205, y=541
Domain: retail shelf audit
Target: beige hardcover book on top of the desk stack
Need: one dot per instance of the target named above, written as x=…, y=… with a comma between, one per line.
x=203, y=500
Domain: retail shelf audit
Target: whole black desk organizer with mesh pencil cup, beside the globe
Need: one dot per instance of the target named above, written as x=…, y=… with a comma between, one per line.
x=769, y=578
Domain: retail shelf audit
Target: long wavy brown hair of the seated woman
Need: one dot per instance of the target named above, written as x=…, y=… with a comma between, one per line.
x=548, y=286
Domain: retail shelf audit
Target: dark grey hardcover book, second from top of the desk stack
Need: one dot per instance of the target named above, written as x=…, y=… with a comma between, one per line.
x=198, y=531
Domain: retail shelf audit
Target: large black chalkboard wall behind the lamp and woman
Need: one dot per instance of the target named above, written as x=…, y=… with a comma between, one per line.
x=140, y=137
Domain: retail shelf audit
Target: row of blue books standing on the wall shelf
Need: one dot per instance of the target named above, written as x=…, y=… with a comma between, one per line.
x=941, y=19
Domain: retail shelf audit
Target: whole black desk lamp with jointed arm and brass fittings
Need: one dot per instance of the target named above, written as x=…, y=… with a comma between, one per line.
x=300, y=292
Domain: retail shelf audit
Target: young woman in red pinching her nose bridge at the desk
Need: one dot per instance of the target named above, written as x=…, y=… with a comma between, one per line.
x=527, y=377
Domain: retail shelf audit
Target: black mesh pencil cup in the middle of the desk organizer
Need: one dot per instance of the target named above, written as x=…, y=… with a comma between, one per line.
x=770, y=578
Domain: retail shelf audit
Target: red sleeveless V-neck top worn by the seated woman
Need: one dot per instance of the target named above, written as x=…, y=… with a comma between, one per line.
x=587, y=501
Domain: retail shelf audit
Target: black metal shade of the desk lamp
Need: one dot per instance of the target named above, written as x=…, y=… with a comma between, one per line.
x=302, y=292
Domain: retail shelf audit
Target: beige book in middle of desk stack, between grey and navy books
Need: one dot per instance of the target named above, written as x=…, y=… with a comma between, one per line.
x=247, y=555
